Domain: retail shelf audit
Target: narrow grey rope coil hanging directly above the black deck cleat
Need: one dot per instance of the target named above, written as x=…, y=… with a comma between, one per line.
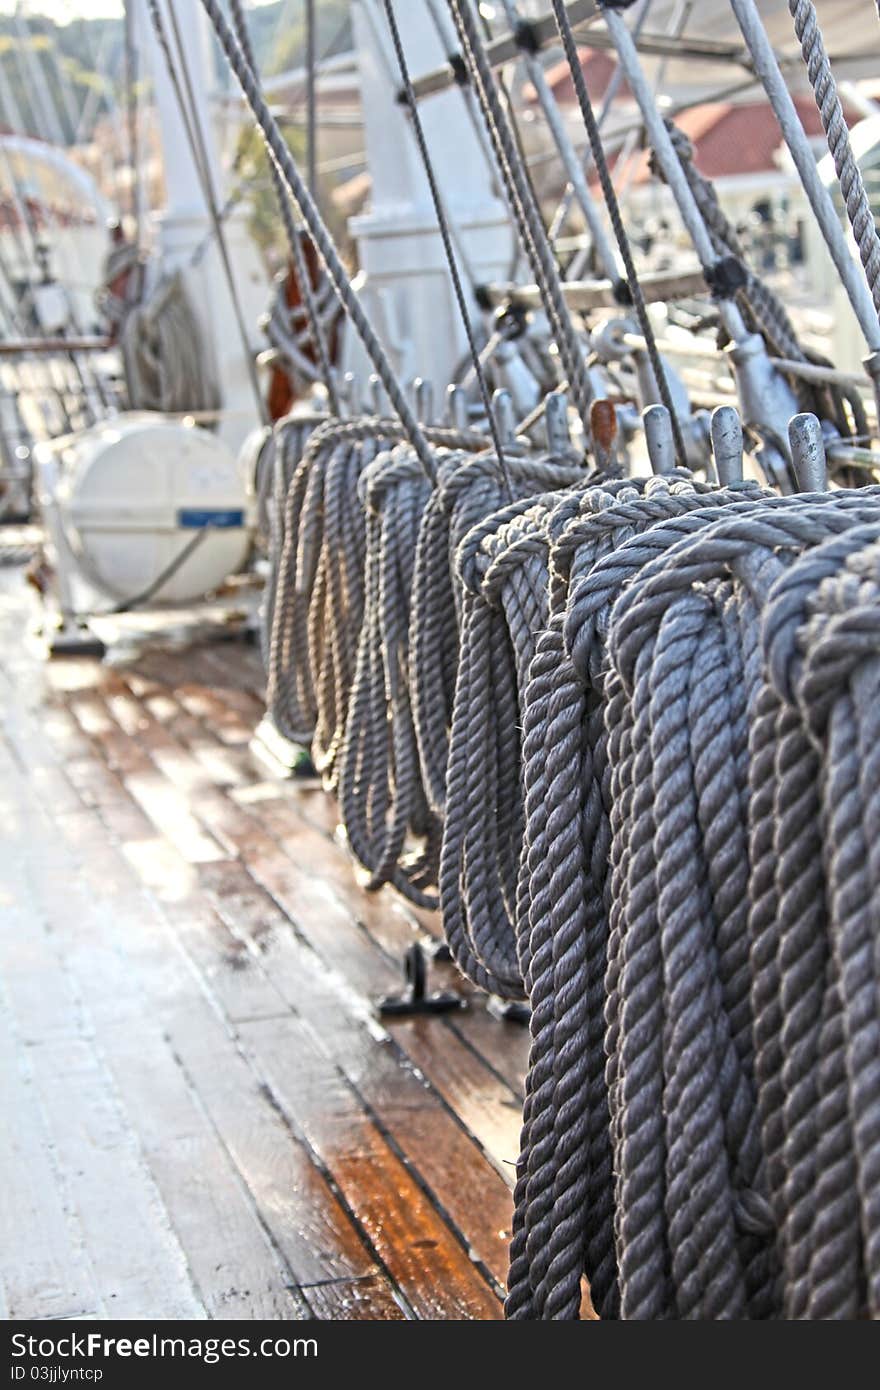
x=383, y=793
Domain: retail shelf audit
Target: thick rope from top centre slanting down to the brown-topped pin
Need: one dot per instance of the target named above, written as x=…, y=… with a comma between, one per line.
x=525, y=208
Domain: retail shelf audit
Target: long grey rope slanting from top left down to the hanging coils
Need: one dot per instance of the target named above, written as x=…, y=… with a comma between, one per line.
x=320, y=236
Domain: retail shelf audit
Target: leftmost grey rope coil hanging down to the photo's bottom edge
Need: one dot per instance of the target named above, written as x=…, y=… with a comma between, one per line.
x=562, y=925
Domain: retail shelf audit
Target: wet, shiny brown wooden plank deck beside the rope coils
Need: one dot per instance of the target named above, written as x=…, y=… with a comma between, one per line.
x=202, y=1114
